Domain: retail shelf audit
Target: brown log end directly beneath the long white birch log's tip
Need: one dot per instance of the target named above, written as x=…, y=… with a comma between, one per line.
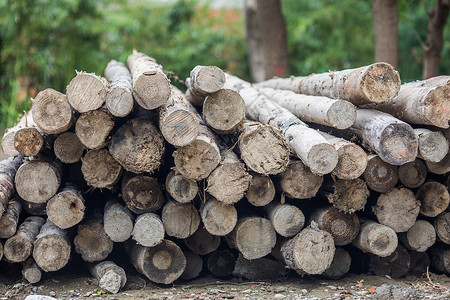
x=298, y=182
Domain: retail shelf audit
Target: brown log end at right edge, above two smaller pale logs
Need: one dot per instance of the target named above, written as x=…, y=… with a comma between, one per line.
x=434, y=198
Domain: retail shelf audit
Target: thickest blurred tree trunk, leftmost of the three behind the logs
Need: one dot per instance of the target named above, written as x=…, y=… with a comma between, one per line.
x=266, y=39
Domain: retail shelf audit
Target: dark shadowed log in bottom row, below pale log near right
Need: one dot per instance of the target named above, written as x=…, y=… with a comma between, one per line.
x=395, y=265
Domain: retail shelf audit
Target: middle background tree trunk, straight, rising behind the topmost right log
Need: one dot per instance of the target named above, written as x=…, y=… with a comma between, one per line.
x=385, y=17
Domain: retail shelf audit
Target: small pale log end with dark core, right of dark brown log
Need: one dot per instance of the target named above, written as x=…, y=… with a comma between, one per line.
x=180, y=188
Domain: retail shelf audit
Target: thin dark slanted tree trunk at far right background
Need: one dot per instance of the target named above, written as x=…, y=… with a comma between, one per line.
x=435, y=39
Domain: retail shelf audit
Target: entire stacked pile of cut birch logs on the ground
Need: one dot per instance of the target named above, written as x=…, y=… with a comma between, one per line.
x=303, y=173
